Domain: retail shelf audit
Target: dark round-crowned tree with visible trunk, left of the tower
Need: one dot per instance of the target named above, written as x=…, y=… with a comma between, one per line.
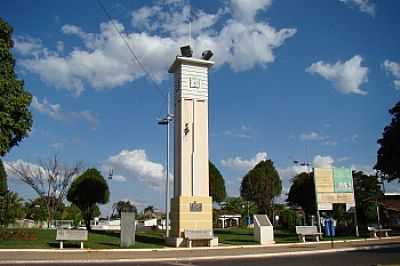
x=86, y=191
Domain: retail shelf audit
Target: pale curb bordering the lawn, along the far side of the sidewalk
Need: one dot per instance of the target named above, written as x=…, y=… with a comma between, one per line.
x=200, y=248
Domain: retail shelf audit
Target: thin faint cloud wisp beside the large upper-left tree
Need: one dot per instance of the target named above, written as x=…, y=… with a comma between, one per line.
x=55, y=111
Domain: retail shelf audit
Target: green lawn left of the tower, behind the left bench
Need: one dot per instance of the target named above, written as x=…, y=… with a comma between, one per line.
x=43, y=238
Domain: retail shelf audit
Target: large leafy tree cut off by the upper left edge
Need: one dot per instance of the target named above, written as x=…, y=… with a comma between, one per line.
x=15, y=117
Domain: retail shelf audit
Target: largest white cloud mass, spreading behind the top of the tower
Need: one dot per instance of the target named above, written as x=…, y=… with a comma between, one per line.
x=103, y=60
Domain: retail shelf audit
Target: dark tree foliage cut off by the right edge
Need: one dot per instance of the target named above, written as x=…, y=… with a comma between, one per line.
x=388, y=155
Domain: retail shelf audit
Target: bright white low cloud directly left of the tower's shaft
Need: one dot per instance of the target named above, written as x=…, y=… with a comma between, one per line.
x=135, y=164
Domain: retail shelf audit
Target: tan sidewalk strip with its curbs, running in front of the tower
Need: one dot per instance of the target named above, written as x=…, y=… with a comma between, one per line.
x=24, y=256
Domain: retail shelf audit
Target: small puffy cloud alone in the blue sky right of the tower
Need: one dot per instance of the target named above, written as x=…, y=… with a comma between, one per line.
x=347, y=77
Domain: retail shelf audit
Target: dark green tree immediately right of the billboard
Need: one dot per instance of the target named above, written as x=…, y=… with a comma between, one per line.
x=366, y=191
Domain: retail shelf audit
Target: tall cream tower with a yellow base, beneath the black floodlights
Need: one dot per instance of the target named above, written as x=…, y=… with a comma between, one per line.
x=191, y=206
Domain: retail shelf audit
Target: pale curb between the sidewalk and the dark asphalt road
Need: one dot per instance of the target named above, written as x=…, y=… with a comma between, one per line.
x=248, y=256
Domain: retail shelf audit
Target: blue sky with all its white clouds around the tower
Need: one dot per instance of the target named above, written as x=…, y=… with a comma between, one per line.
x=293, y=80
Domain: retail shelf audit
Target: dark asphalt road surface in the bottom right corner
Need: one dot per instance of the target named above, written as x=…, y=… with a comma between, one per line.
x=387, y=256
